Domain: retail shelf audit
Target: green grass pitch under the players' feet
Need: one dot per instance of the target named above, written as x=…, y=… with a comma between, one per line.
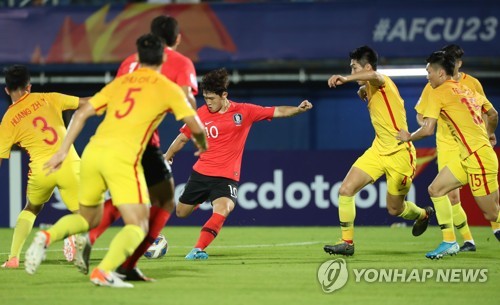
x=263, y=265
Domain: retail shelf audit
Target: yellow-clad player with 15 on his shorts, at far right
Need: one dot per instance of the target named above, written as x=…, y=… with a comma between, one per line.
x=461, y=109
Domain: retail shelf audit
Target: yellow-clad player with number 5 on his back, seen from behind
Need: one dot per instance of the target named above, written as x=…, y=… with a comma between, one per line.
x=135, y=104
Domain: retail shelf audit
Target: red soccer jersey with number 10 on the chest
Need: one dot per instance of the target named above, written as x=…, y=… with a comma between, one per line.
x=227, y=133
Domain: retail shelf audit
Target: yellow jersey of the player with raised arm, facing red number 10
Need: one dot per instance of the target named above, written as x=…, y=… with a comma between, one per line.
x=387, y=114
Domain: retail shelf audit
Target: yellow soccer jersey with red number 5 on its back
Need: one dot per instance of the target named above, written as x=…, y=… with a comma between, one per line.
x=135, y=104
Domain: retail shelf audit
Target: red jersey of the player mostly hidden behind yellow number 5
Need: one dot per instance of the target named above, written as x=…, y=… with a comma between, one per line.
x=178, y=68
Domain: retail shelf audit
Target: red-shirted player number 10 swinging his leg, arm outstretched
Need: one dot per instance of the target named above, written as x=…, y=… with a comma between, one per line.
x=216, y=174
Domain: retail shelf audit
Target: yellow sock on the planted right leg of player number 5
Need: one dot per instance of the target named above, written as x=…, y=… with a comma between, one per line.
x=121, y=247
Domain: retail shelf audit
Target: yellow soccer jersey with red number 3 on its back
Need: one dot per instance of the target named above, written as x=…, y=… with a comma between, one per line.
x=35, y=123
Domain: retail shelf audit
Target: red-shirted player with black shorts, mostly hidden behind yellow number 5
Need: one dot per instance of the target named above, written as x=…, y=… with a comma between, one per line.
x=179, y=69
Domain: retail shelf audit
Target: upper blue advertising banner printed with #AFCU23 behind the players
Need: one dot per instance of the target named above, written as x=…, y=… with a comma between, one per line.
x=236, y=32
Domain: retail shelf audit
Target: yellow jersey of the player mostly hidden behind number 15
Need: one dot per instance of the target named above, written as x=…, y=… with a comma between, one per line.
x=444, y=138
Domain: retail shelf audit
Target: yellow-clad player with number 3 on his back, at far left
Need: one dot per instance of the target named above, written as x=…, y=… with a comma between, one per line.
x=34, y=122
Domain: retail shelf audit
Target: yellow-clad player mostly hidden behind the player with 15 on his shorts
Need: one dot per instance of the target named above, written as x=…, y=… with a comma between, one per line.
x=448, y=149
